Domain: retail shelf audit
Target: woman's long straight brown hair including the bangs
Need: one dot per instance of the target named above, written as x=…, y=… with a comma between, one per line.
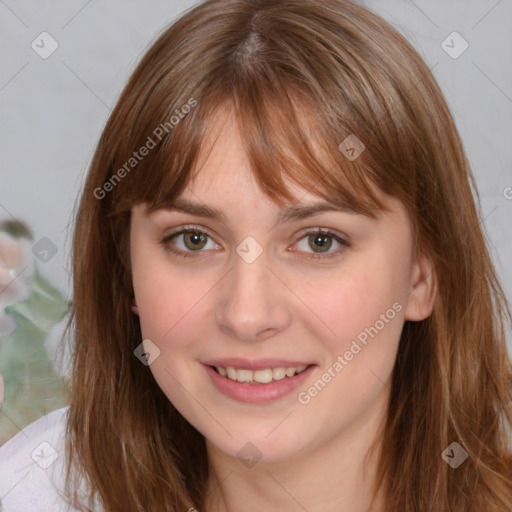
x=300, y=76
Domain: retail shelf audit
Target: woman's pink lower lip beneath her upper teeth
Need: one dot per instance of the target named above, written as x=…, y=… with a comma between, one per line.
x=257, y=393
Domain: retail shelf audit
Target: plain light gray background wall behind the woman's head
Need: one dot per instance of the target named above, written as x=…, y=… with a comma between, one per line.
x=52, y=110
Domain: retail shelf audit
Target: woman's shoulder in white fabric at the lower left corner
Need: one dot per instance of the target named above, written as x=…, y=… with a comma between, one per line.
x=32, y=467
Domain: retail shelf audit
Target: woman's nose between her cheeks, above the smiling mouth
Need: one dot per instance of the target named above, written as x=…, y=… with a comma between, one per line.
x=252, y=302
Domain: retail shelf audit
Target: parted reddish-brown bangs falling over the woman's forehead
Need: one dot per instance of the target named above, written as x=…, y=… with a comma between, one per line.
x=285, y=138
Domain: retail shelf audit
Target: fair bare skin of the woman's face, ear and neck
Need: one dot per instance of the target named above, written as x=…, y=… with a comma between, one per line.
x=286, y=305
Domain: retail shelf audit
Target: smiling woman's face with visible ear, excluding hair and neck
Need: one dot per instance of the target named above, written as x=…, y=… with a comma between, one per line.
x=261, y=296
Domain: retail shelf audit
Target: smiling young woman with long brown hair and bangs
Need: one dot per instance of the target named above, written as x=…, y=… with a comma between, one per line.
x=282, y=293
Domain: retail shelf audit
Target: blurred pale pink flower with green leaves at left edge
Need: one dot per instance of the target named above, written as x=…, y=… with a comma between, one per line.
x=30, y=307
